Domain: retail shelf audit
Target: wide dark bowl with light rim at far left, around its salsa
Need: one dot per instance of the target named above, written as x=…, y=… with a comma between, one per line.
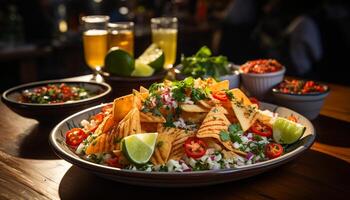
x=52, y=112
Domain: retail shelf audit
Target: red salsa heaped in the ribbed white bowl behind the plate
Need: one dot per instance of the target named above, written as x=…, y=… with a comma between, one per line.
x=261, y=66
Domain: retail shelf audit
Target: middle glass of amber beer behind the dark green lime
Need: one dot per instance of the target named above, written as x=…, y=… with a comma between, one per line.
x=121, y=34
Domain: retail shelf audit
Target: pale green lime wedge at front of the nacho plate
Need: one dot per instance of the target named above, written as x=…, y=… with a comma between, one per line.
x=138, y=148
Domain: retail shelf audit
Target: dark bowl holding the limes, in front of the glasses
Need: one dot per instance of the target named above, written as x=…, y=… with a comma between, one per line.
x=124, y=85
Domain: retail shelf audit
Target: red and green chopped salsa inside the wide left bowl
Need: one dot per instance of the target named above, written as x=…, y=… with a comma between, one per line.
x=54, y=93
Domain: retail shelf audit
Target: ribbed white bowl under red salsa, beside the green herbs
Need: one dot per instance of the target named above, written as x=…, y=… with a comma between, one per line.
x=259, y=85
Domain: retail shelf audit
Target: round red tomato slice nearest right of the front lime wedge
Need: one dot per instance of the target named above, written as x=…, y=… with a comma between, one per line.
x=195, y=147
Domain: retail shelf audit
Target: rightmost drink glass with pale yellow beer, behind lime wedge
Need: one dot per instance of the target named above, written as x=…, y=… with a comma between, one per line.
x=164, y=34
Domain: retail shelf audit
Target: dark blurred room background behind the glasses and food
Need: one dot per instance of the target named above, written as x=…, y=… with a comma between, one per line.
x=41, y=39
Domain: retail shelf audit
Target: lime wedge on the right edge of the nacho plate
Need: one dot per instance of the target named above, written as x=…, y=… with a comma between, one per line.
x=287, y=132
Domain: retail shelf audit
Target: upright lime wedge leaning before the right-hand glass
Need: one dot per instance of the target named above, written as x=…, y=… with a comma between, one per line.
x=153, y=56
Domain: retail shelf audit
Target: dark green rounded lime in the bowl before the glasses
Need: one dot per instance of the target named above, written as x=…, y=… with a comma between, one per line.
x=119, y=62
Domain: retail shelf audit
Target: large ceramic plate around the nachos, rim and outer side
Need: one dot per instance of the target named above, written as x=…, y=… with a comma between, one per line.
x=177, y=179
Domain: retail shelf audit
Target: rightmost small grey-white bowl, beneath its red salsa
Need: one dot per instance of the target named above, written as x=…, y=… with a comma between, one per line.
x=308, y=105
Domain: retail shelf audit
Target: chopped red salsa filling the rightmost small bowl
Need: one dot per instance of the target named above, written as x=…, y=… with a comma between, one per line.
x=300, y=87
